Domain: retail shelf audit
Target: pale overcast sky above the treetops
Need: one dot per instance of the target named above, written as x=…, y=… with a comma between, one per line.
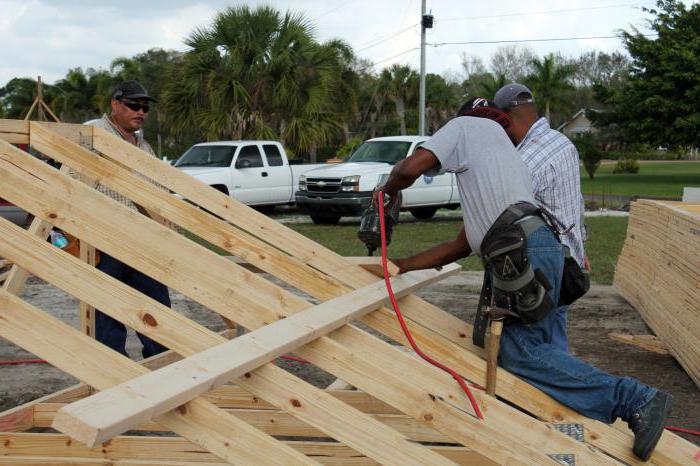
x=47, y=37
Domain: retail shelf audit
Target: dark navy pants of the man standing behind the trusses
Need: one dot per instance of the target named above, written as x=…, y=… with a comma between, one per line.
x=111, y=332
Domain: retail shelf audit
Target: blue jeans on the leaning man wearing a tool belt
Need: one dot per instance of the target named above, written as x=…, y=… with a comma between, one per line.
x=532, y=352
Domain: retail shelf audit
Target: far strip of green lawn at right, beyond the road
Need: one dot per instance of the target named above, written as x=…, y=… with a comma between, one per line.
x=657, y=179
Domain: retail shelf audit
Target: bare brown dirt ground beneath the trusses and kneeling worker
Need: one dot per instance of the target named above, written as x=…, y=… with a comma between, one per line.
x=600, y=312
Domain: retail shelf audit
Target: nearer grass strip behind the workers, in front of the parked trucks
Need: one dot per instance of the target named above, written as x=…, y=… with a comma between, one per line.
x=606, y=235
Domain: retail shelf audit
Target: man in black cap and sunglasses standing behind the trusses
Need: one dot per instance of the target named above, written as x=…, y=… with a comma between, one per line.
x=129, y=109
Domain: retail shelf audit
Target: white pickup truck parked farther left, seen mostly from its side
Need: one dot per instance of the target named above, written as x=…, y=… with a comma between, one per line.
x=256, y=173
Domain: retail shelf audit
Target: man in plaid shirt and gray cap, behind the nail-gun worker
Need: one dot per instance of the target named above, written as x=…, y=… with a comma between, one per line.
x=553, y=163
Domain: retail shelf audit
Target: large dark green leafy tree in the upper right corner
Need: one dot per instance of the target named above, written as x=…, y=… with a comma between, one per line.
x=658, y=103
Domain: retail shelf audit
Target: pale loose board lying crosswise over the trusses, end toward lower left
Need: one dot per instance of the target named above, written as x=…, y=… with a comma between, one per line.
x=111, y=412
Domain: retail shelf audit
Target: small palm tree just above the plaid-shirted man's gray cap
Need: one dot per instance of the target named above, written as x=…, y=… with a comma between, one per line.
x=549, y=81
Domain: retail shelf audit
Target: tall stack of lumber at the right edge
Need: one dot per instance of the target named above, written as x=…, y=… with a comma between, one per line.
x=658, y=272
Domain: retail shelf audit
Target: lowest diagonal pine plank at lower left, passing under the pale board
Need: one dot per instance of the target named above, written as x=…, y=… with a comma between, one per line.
x=84, y=358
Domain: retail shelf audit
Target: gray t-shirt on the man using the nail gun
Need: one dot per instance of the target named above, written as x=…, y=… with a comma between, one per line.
x=489, y=171
